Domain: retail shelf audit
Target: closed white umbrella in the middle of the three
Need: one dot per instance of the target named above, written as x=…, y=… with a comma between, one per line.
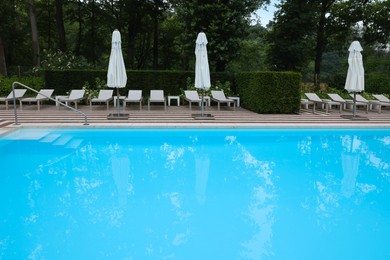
x=202, y=71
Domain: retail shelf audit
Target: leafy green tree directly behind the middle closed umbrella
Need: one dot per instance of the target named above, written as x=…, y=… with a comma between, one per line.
x=224, y=22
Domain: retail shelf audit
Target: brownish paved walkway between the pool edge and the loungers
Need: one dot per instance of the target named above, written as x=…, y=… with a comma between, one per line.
x=174, y=116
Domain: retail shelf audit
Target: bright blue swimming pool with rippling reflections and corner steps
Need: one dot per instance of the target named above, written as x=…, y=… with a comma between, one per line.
x=195, y=194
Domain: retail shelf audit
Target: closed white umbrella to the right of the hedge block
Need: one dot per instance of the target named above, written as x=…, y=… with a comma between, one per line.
x=355, y=76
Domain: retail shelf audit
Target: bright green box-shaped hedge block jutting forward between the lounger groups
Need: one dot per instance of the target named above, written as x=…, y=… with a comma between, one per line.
x=269, y=92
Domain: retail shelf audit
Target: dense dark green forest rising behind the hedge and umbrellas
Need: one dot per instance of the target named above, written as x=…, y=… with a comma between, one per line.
x=311, y=37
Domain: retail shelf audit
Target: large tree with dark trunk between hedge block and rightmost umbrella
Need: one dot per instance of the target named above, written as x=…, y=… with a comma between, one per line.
x=301, y=24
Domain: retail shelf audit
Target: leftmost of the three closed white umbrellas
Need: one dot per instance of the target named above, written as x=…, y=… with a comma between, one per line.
x=116, y=74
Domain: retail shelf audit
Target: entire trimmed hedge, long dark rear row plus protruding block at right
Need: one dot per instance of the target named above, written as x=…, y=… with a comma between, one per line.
x=261, y=92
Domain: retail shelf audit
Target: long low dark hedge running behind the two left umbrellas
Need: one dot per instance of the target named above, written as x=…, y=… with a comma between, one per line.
x=169, y=81
